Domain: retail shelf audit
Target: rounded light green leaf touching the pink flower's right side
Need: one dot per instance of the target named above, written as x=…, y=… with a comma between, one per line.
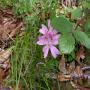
x=66, y=43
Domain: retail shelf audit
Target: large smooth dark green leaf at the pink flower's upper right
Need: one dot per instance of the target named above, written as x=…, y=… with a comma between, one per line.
x=62, y=24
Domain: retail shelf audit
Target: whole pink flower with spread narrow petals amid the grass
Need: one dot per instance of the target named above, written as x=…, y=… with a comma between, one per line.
x=49, y=39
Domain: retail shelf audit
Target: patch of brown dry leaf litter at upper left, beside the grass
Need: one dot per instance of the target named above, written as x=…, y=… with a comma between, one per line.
x=9, y=27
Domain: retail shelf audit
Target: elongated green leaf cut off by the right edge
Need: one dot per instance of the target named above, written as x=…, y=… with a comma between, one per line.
x=82, y=38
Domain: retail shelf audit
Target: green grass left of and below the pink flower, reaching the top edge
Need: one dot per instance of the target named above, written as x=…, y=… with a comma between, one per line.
x=29, y=71
